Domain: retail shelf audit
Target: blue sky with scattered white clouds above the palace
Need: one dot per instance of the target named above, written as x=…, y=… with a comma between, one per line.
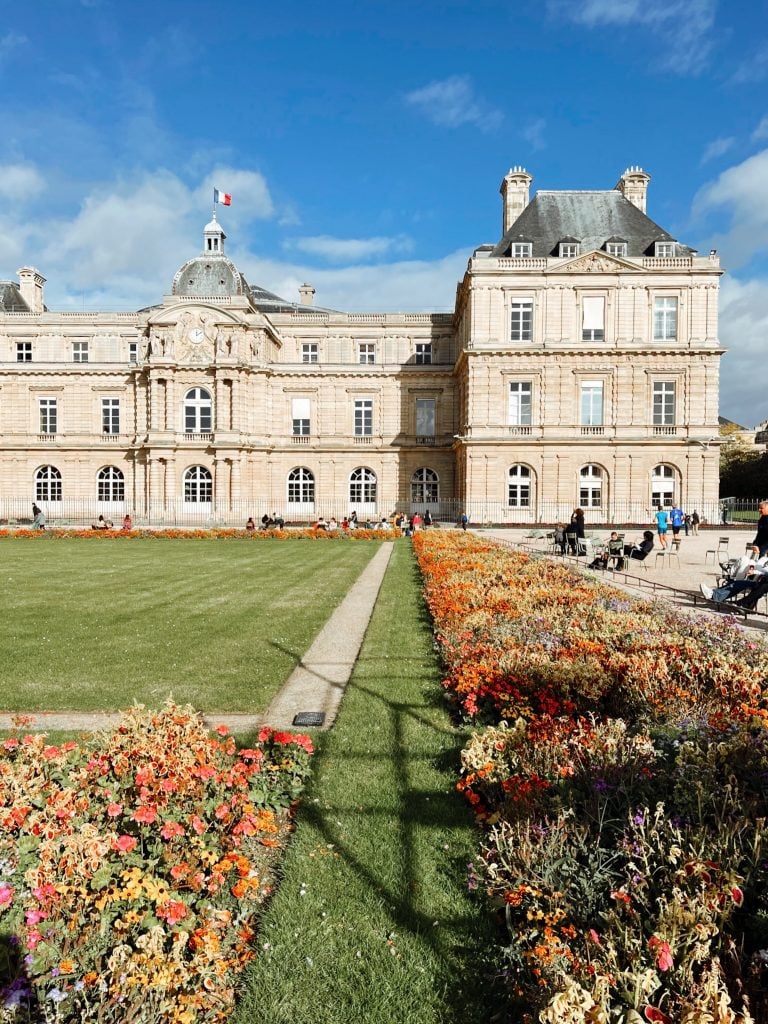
x=364, y=143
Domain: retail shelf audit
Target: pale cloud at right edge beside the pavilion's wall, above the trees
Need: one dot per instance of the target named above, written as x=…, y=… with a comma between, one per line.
x=744, y=328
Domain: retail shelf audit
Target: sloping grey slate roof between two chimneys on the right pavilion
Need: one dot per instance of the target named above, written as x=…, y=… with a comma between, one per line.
x=590, y=218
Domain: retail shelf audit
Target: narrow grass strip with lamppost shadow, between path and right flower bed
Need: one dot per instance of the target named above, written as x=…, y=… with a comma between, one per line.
x=373, y=921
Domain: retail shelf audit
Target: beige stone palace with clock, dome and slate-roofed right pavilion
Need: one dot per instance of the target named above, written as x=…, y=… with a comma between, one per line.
x=580, y=368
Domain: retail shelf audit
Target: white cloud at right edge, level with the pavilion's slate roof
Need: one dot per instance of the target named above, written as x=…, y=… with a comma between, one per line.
x=743, y=192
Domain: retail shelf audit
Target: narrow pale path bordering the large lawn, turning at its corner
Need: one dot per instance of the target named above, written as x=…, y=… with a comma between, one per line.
x=317, y=685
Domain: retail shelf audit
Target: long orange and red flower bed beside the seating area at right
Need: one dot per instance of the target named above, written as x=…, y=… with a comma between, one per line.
x=621, y=786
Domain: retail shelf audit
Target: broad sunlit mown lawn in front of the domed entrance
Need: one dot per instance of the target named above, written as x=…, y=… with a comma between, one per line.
x=97, y=625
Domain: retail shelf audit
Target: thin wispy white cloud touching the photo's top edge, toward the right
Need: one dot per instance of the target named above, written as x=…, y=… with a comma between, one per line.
x=684, y=26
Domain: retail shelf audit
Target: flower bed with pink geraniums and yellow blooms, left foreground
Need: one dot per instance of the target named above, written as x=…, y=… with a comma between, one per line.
x=133, y=867
